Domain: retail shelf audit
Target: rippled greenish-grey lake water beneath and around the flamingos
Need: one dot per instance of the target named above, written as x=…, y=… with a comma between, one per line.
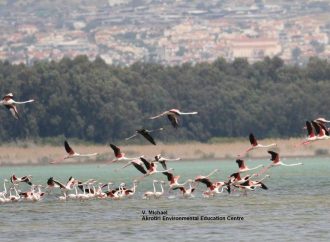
x=296, y=206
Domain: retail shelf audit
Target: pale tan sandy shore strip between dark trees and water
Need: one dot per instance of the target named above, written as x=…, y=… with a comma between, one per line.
x=35, y=154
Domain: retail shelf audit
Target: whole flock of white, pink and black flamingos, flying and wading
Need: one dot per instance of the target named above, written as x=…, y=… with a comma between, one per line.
x=76, y=189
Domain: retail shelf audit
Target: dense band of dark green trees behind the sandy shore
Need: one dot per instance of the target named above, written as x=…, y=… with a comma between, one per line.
x=90, y=100
